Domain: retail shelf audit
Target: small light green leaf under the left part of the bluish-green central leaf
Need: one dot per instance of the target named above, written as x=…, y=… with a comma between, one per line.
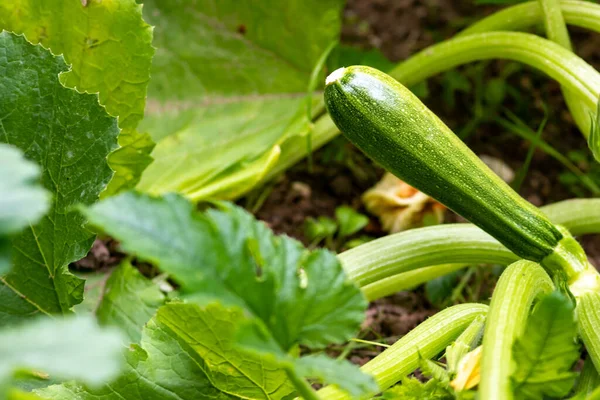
x=129, y=301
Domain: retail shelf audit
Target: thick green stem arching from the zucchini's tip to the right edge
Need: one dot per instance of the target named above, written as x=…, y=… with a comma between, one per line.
x=570, y=71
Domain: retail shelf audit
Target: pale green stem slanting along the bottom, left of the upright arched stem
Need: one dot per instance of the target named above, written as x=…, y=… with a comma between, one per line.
x=428, y=339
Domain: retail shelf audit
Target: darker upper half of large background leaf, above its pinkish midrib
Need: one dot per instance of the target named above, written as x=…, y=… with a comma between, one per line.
x=224, y=48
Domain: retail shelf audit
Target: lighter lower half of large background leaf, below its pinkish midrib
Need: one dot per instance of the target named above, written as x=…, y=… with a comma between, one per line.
x=199, y=147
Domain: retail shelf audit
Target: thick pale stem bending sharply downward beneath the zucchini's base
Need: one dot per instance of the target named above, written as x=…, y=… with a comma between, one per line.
x=515, y=292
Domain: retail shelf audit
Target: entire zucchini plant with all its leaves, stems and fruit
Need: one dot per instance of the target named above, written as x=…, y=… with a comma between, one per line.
x=235, y=311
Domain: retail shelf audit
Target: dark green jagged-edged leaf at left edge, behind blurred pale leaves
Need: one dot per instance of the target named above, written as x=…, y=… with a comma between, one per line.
x=69, y=135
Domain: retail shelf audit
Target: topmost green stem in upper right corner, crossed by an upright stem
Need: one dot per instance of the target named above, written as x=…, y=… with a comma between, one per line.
x=523, y=16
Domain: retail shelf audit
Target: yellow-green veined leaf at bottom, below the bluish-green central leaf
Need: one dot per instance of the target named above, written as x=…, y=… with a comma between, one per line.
x=187, y=353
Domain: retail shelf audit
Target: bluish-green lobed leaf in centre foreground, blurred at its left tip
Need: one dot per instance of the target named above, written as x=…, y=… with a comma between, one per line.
x=302, y=297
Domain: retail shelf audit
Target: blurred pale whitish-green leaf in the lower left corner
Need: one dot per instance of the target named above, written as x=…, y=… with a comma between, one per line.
x=74, y=348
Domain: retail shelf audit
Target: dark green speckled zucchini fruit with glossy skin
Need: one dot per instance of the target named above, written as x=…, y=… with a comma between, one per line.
x=394, y=128
